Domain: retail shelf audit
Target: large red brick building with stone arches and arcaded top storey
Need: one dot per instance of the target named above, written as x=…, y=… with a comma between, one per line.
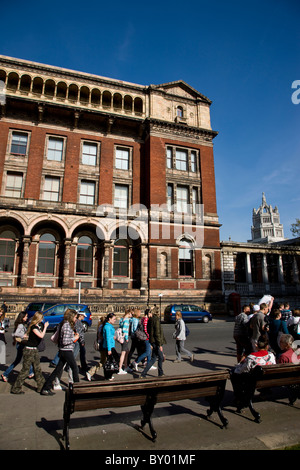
x=108, y=185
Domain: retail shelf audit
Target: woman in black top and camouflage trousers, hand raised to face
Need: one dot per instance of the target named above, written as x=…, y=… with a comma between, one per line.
x=36, y=332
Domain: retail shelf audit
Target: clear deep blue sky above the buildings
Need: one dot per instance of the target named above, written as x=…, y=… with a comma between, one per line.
x=243, y=55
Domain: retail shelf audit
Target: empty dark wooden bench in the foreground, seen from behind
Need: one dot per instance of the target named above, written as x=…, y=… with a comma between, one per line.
x=145, y=392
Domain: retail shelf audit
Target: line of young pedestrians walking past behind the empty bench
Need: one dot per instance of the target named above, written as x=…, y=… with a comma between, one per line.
x=140, y=337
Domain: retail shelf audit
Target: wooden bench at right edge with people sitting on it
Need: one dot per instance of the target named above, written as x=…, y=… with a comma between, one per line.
x=264, y=377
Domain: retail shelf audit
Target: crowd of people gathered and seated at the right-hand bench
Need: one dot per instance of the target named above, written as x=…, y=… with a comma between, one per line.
x=264, y=334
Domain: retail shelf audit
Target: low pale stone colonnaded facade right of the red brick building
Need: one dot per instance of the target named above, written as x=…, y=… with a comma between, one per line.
x=252, y=270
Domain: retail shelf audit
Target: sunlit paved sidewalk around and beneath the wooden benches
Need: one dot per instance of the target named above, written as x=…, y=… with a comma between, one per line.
x=34, y=422
